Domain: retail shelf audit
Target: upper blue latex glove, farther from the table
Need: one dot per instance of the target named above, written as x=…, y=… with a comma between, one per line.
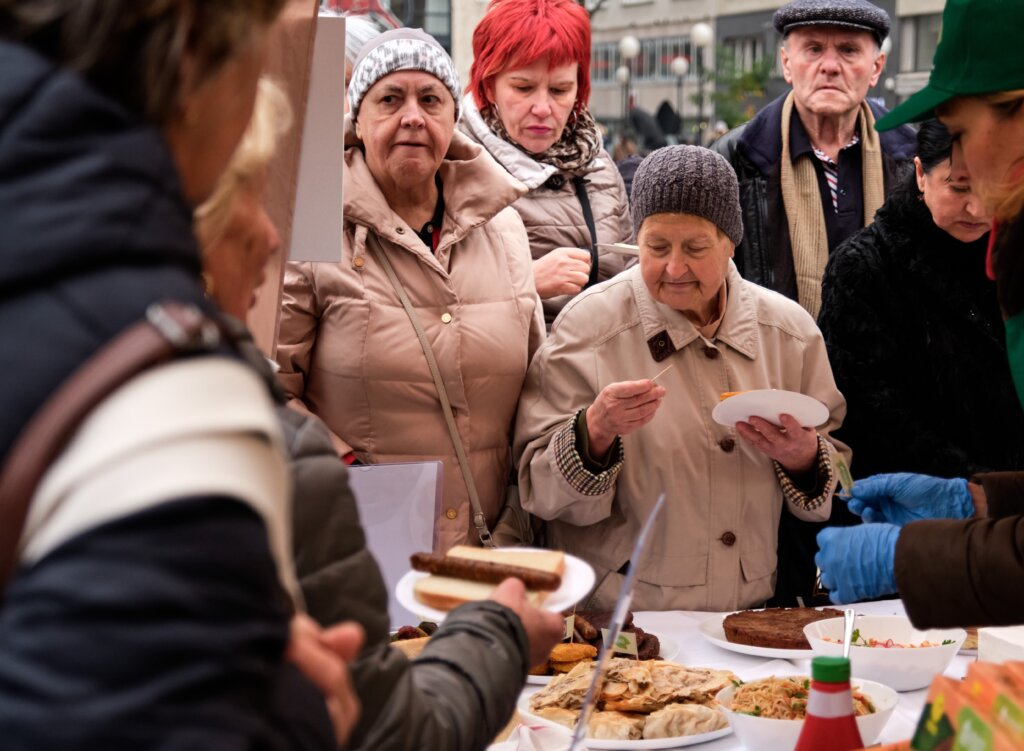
x=902, y=498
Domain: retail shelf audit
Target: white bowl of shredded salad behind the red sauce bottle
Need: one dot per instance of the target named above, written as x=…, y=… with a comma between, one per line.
x=765, y=734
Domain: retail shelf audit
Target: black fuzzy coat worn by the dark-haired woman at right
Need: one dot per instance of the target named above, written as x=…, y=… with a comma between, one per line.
x=916, y=341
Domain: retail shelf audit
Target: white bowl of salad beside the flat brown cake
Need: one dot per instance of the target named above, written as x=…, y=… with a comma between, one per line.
x=904, y=670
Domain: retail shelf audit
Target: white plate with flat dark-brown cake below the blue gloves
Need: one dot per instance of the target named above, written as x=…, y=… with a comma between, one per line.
x=775, y=633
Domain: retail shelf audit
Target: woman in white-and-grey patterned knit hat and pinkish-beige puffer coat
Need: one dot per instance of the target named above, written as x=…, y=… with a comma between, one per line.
x=423, y=197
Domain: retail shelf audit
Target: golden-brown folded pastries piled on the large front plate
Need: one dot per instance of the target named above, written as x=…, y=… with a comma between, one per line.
x=645, y=704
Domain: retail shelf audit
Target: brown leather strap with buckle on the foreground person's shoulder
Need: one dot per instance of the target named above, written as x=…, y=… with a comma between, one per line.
x=168, y=330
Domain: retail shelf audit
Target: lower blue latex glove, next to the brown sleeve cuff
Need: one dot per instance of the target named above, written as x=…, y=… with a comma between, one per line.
x=858, y=563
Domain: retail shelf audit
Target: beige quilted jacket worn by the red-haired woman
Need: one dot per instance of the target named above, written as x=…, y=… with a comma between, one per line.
x=553, y=216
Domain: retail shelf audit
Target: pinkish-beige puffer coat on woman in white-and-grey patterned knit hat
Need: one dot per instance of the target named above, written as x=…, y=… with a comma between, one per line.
x=350, y=353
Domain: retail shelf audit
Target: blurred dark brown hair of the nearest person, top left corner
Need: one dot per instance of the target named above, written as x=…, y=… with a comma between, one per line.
x=133, y=51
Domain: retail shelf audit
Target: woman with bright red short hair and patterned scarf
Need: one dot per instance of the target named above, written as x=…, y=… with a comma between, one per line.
x=528, y=99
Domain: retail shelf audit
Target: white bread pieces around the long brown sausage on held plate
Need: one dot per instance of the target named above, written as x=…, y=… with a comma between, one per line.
x=445, y=594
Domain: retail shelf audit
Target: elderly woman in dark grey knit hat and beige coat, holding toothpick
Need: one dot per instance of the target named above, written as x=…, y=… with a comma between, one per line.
x=598, y=440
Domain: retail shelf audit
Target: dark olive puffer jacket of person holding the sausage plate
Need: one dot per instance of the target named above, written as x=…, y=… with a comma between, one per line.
x=462, y=690
